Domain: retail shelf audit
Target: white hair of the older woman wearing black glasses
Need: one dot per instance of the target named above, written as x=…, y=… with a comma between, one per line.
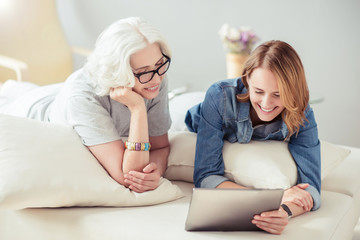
x=109, y=64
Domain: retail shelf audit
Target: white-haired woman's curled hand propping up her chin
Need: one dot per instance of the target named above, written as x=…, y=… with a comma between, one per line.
x=127, y=96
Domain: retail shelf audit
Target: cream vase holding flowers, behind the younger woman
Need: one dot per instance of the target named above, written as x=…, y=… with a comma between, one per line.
x=234, y=64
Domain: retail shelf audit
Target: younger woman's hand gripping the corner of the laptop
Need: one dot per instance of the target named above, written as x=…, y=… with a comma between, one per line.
x=273, y=221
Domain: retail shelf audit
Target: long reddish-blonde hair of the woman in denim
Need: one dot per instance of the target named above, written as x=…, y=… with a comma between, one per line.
x=282, y=59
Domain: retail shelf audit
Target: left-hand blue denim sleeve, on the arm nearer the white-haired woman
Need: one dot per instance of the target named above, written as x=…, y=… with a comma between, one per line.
x=206, y=120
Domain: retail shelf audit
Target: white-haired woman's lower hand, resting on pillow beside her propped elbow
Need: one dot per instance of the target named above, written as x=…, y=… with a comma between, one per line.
x=143, y=181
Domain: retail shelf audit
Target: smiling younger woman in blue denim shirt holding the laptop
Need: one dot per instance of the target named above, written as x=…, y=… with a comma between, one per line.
x=269, y=102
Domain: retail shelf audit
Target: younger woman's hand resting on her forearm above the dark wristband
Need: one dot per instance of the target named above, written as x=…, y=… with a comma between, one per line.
x=299, y=196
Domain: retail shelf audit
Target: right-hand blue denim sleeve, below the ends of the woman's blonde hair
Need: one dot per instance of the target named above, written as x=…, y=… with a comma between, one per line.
x=305, y=149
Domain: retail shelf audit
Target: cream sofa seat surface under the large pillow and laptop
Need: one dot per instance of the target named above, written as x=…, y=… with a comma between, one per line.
x=333, y=220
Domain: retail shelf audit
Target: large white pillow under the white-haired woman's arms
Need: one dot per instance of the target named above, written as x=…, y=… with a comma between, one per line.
x=46, y=165
